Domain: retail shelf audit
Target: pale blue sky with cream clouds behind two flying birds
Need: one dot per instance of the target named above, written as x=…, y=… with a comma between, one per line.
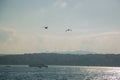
x=95, y=26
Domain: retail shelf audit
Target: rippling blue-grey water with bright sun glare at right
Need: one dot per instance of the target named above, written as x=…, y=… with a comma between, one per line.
x=59, y=73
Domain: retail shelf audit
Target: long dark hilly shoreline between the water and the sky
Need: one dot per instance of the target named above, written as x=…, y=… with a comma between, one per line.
x=62, y=59
